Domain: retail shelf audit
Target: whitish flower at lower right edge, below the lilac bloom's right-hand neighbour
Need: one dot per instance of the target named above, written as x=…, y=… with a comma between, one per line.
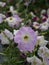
x=43, y=52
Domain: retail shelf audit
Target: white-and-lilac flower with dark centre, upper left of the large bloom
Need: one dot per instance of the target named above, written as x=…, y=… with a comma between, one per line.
x=13, y=20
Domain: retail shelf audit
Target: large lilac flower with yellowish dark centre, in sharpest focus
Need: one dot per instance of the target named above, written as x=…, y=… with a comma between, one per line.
x=26, y=39
